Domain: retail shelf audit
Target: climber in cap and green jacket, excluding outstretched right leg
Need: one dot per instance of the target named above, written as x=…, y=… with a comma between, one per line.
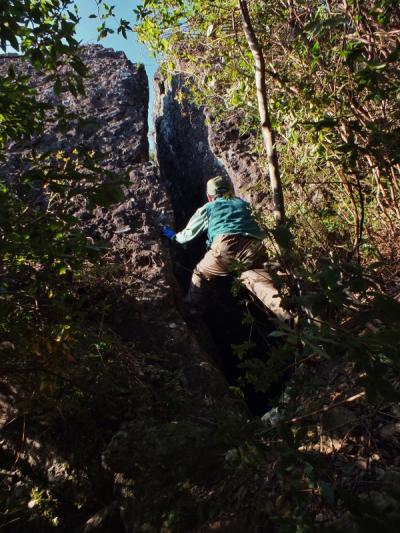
x=233, y=237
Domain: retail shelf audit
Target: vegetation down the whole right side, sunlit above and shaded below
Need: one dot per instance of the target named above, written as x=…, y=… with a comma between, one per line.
x=332, y=80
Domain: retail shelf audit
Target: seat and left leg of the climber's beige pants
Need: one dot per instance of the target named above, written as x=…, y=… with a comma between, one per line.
x=226, y=251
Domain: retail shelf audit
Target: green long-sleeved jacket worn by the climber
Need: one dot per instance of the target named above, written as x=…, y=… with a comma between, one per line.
x=223, y=216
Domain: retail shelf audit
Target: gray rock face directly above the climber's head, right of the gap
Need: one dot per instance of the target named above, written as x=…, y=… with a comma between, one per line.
x=191, y=149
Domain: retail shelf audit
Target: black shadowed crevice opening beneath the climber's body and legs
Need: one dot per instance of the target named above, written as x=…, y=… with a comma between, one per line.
x=227, y=327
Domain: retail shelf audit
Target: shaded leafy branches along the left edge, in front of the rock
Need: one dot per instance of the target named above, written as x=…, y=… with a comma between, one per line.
x=43, y=250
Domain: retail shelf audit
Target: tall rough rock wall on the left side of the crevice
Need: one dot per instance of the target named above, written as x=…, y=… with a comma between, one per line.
x=159, y=379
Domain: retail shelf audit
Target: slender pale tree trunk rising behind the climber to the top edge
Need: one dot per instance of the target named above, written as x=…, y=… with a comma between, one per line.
x=265, y=120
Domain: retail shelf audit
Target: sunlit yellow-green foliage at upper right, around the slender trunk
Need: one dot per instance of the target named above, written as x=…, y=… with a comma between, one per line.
x=332, y=89
